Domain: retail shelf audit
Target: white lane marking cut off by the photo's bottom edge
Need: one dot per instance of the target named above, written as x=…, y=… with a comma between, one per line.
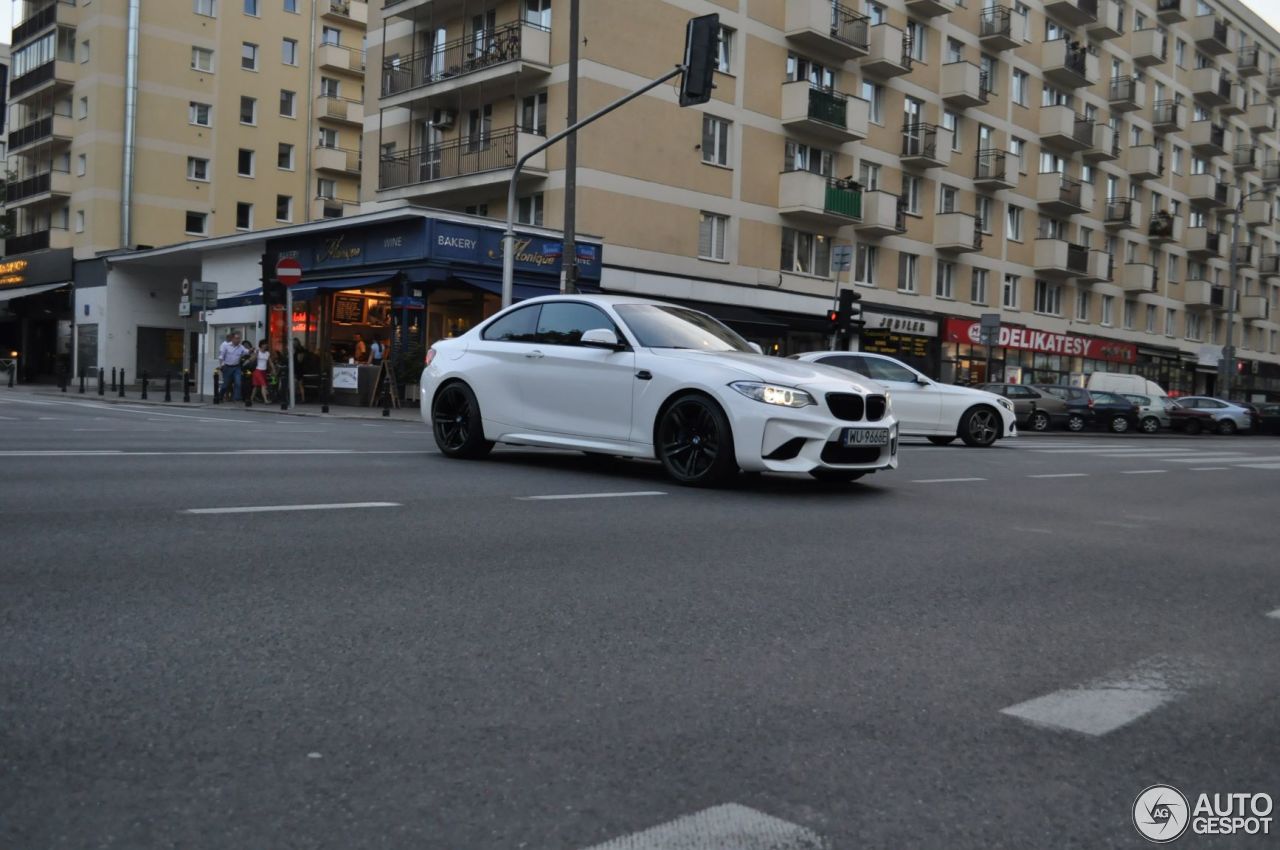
x=723, y=828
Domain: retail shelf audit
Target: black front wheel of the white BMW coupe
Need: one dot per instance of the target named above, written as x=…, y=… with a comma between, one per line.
x=696, y=444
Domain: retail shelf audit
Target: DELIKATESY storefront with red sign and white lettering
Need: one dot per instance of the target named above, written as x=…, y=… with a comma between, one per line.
x=1028, y=357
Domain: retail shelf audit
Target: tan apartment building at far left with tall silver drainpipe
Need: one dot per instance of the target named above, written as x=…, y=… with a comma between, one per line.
x=143, y=124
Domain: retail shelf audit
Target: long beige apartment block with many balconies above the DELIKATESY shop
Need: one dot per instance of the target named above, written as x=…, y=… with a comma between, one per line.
x=1073, y=166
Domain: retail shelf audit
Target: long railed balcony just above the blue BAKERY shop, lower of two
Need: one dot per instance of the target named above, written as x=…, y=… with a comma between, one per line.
x=460, y=164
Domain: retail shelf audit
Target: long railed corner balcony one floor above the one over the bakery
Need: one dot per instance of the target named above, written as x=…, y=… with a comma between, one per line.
x=513, y=52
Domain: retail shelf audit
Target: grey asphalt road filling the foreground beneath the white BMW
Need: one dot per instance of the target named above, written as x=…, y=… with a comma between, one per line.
x=982, y=650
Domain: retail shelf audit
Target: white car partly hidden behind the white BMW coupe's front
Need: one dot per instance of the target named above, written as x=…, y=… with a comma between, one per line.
x=924, y=406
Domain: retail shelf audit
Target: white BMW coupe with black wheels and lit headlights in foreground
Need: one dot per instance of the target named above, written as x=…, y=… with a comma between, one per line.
x=638, y=378
